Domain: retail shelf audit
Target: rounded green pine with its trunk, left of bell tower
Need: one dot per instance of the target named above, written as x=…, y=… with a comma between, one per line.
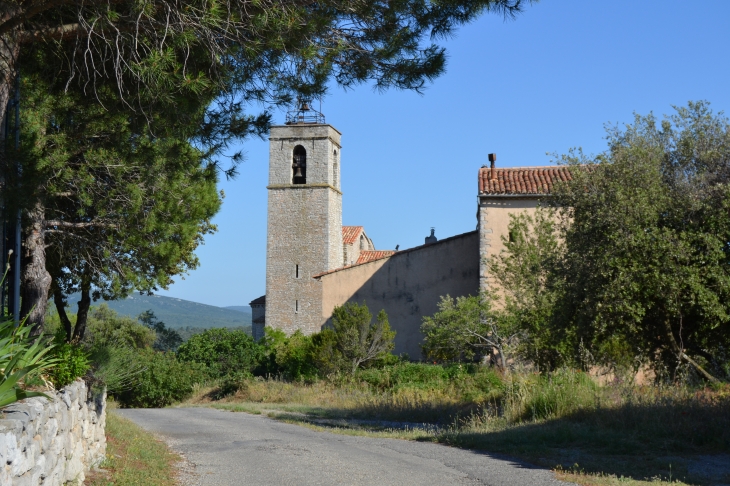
x=119, y=202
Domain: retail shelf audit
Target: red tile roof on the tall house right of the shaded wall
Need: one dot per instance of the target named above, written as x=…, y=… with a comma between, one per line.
x=521, y=180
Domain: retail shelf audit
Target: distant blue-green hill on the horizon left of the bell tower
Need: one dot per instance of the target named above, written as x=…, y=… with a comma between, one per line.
x=177, y=313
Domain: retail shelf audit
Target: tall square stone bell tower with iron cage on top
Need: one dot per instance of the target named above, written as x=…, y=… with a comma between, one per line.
x=304, y=219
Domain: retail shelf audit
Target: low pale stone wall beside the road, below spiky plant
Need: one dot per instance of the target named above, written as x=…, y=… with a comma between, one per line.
x=52, y=442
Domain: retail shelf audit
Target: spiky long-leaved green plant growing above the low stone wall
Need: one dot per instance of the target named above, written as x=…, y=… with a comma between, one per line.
x=22, y=357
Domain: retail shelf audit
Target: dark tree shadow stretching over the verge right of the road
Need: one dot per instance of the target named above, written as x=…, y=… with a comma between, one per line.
x=676, y=440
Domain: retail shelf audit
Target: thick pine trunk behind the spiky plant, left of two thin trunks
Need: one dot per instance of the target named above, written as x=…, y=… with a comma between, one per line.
x=35, y=280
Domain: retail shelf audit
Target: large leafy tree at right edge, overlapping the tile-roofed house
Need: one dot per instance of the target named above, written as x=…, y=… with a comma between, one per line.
x=647, y=226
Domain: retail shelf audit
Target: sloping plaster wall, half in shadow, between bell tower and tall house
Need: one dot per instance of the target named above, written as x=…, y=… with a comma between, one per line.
x=408, y=285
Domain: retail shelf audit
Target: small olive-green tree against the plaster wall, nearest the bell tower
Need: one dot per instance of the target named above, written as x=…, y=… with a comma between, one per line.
x=357, y=338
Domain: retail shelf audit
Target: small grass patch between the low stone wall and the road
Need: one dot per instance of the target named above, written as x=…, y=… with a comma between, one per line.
x=134, y=457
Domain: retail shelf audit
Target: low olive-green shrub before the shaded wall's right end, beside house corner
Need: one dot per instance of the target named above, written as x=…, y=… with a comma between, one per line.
x=466, y=329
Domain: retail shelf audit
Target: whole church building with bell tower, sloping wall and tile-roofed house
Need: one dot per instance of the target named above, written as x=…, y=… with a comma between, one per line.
x=314, y=264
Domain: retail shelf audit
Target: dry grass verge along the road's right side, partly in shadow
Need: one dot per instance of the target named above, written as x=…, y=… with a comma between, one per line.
x=591, y=435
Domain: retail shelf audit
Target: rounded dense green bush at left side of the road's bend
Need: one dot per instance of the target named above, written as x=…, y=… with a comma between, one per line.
x=165, y=380
